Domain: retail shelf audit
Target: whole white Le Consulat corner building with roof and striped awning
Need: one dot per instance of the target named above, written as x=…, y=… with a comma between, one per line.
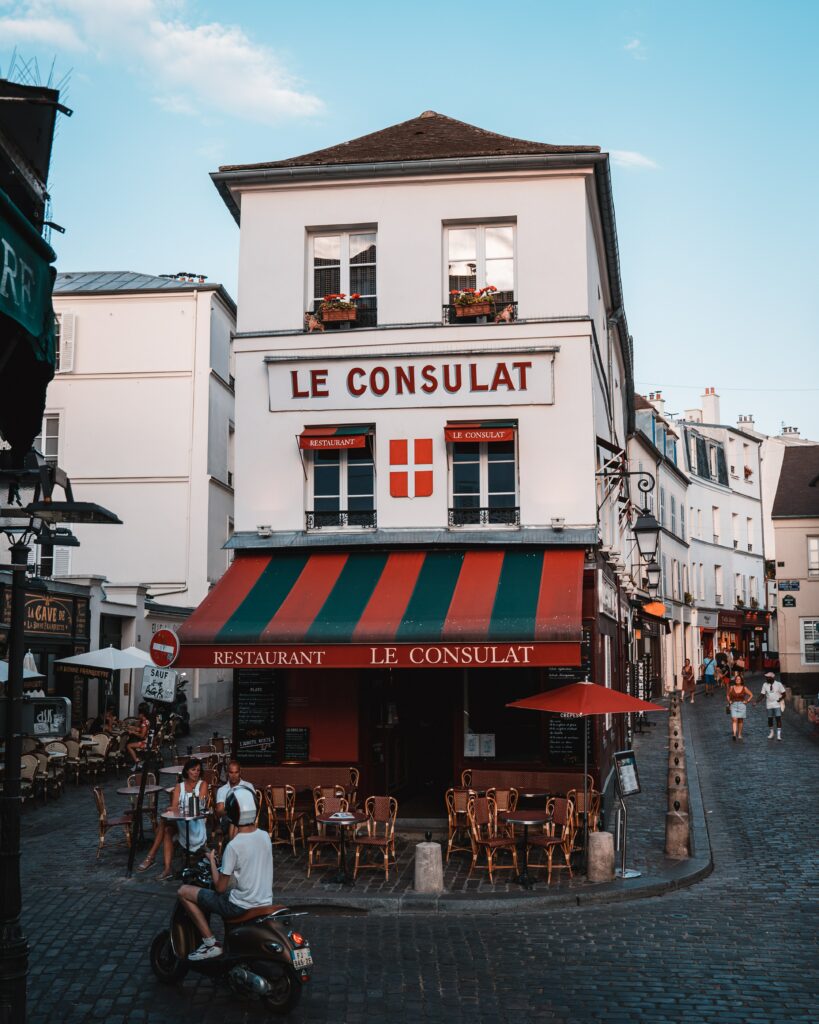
x=434, y=382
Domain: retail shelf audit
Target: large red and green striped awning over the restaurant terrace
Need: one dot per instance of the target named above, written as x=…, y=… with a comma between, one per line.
x=392, y=609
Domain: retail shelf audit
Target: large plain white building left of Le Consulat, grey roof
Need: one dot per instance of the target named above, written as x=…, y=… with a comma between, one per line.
x=141, y=416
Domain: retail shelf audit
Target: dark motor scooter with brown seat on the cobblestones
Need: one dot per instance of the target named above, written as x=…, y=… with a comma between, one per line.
x=264, y=955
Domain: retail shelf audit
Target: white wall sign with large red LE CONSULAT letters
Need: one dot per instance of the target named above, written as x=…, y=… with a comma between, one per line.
x=428, y=381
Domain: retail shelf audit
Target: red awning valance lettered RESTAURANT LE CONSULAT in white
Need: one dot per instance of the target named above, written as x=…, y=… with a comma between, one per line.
x=450, y=656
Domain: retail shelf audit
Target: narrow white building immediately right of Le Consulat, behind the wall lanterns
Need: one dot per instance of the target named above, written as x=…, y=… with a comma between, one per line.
x=657, y=447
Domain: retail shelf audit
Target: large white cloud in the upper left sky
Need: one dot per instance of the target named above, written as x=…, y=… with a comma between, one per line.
x=213, y=68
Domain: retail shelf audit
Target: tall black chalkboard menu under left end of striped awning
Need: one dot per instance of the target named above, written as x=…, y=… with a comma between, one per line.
x=257, y=717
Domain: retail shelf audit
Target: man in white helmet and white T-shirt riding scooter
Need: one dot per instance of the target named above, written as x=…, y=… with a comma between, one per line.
x=244, y=881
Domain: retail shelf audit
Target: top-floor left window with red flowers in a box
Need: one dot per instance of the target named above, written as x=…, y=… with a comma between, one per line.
x=342, y=275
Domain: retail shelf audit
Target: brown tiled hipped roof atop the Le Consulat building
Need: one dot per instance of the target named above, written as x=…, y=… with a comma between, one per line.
x=429, y=137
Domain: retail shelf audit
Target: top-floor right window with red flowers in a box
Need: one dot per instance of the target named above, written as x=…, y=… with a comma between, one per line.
x=481, y=266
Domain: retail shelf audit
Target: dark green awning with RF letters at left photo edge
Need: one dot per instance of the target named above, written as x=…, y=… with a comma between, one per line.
x=27, y=279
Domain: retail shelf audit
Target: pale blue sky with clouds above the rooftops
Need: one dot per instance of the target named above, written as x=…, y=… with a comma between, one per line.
x=708, y=110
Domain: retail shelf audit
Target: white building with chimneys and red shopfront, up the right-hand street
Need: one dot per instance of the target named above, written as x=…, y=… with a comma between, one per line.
x=725, y=525
